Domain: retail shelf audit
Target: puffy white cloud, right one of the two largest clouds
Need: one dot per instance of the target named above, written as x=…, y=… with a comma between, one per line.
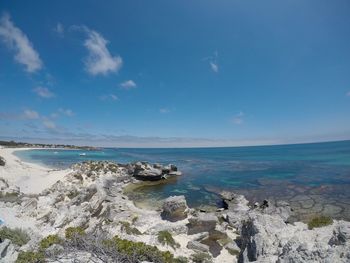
x=99, y=60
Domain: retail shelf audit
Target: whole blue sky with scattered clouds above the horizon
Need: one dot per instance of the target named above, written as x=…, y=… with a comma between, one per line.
x=175, y=73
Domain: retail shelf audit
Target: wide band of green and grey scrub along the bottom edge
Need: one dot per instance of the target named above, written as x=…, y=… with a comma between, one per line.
x=97, y=247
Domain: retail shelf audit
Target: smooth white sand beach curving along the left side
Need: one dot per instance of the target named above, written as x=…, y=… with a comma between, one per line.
x=30, y=178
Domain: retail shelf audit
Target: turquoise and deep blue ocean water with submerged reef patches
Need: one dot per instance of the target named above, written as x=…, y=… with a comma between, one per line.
x=314, y=178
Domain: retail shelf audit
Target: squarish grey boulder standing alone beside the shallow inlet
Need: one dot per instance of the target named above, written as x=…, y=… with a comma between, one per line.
x=174, y=208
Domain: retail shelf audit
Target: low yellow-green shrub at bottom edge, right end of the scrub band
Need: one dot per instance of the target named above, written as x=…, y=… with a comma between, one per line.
x=140, y=251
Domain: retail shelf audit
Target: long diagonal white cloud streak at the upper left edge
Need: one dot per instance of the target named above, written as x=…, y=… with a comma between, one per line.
x=19, y=42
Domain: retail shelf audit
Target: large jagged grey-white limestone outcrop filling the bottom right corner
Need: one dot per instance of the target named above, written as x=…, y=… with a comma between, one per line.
x=266, y=235
